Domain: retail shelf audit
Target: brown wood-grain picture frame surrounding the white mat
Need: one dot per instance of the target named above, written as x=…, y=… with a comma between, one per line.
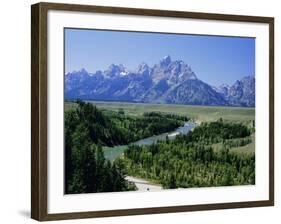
x=39, y=120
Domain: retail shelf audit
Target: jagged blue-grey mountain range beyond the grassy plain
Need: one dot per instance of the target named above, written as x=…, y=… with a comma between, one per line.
x=172, y=82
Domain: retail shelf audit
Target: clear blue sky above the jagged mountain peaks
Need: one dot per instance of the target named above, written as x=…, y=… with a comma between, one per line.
x=214, y=59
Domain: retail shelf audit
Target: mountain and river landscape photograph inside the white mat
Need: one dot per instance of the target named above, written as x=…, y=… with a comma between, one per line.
x=147, y=111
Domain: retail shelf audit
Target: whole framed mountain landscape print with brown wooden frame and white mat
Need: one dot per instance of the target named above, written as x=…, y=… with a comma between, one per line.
x=139, y=111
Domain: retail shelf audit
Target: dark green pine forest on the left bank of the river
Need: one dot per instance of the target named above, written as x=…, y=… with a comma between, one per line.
x=87, y=129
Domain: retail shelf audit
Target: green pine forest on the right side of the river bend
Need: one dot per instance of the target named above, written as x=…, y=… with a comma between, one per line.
x=190, y=160
